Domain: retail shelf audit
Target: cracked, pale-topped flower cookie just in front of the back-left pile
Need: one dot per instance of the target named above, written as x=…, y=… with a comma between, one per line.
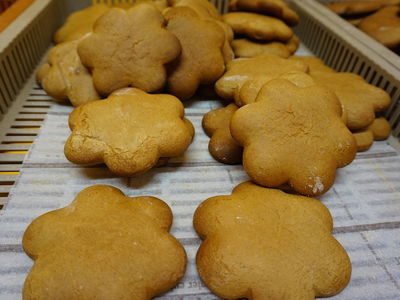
x=129, y=131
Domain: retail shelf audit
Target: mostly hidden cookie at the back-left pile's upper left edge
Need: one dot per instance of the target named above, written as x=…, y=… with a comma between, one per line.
x=80, y=23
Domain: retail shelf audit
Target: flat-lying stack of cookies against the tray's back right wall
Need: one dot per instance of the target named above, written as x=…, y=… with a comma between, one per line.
x=262, y=27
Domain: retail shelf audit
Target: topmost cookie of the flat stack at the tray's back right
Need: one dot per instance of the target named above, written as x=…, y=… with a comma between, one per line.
x=276, y=8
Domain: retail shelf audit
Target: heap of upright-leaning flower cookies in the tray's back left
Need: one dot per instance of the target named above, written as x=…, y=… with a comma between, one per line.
x=154, y=45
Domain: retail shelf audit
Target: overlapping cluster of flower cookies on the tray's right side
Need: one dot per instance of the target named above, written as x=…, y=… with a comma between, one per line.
x=252, y=123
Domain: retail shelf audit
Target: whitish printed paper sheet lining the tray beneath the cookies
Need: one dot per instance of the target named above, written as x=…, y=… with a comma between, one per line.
x=364, y=202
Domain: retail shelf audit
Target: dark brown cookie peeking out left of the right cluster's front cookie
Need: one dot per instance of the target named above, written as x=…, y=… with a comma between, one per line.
x=222, y=146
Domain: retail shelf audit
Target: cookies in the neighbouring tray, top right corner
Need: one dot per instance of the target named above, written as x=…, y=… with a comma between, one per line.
x=380, y=19
